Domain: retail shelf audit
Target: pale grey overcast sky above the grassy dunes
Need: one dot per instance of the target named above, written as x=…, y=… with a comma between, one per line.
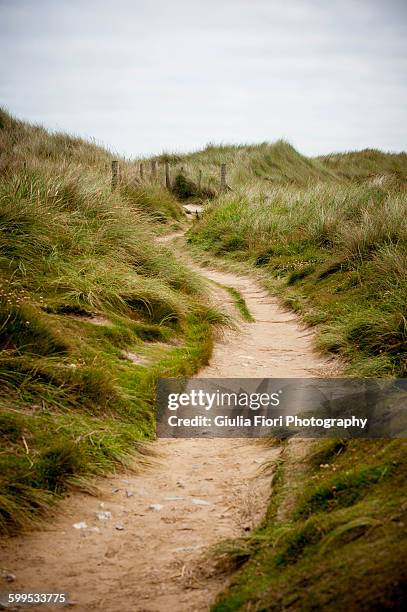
x=146, y=76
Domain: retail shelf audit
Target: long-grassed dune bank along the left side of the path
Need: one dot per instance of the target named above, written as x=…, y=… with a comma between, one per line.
x=92, y=311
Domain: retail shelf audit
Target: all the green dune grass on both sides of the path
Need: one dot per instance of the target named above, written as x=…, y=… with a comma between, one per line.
x=93, y=309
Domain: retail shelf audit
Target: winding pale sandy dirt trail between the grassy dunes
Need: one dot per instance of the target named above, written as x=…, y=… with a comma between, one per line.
x=144, y=559
